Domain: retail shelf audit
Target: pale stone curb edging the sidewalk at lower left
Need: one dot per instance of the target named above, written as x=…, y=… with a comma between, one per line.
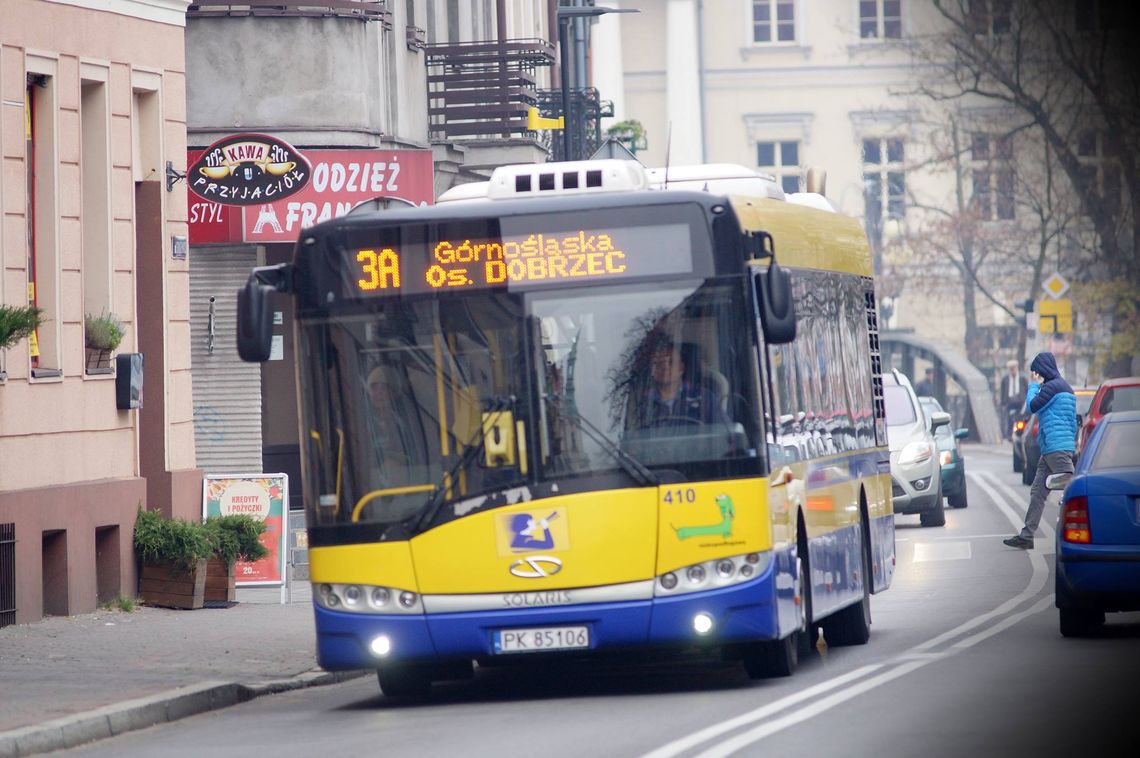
x=139, y=714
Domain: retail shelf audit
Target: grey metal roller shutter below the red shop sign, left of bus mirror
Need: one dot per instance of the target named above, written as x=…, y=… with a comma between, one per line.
x=227, y=390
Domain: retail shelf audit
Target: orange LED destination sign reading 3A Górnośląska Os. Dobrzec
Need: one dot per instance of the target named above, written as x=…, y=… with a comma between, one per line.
x=520, y=262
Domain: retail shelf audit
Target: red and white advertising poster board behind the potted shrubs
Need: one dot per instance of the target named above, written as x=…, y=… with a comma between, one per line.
x=264, y=498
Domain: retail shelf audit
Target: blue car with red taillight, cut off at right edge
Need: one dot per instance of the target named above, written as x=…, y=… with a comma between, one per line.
x=1098, y=533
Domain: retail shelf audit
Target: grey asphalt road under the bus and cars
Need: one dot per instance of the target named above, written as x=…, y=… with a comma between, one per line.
x=965, y=659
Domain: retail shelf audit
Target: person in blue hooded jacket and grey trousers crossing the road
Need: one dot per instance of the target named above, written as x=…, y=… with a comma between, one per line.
x=1053, y=400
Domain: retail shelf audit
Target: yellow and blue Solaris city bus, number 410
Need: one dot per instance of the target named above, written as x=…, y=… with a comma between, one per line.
x=582, y=412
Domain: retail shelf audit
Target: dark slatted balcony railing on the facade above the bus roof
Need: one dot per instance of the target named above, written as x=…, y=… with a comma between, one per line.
x=484, y=89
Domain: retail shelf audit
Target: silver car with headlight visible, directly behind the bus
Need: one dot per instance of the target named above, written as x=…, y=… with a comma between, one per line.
x=915, y=471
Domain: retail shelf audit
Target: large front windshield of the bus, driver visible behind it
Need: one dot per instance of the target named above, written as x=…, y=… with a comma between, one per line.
x=424, y=409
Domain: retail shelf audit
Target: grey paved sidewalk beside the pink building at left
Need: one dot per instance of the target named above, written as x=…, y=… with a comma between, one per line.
x=66, y=681
